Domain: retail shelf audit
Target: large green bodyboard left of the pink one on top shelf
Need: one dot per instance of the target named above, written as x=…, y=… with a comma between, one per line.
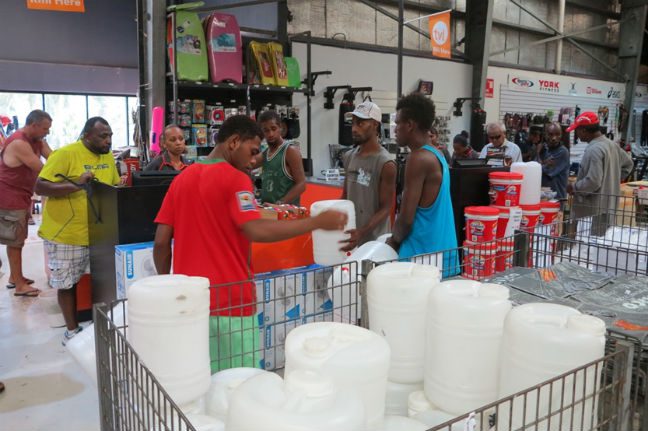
x=190, y=51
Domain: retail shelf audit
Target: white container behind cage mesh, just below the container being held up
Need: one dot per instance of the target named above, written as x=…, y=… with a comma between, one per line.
x=342, y=283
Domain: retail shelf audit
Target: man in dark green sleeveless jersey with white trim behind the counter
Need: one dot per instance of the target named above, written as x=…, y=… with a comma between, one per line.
x=282, y=179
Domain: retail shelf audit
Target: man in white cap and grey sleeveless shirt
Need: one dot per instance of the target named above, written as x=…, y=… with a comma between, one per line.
x=370, y=181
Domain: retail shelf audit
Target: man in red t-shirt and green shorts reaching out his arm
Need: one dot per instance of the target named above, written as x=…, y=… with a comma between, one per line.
x=211, y=214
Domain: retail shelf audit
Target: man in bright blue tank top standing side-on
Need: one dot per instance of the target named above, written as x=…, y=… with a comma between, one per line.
x=425, y=223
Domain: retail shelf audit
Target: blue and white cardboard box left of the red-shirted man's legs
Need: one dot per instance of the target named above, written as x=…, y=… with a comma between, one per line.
x=132, y=262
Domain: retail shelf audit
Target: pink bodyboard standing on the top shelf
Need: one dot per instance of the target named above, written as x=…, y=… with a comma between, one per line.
x=224, y=48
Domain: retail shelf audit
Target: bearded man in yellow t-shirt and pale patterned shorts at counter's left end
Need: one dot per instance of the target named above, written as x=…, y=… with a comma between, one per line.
x=65, y=217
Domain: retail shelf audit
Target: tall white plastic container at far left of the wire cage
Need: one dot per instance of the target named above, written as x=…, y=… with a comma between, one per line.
x=168, y=326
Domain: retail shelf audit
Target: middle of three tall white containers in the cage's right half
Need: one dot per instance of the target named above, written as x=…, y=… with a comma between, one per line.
x=464, y=333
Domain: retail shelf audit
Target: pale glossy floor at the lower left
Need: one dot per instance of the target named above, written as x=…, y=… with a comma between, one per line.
x=45, y=388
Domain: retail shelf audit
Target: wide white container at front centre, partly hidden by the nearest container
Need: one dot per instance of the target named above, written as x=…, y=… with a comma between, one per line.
x=356, y=359
